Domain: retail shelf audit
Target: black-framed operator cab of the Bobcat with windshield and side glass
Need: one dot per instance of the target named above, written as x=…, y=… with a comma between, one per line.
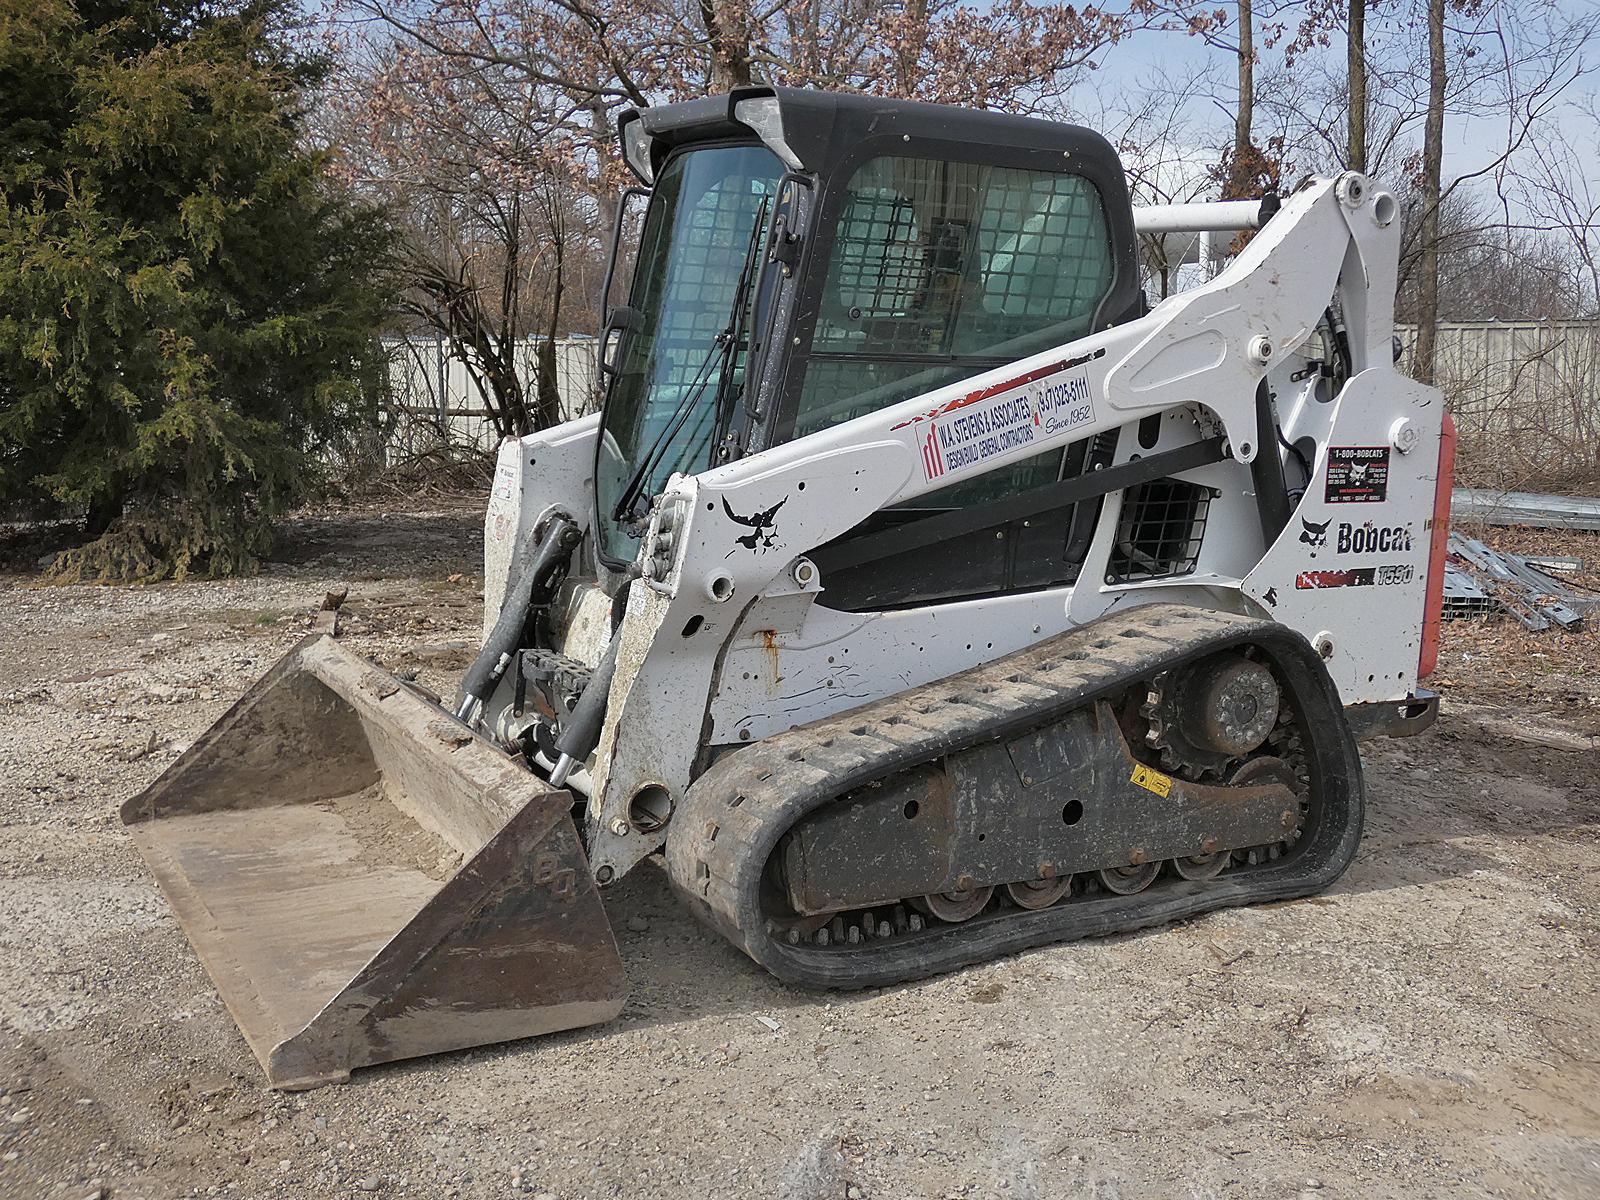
x=809, y=258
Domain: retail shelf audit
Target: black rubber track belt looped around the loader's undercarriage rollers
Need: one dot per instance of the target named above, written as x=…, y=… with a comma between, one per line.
x=735, y=815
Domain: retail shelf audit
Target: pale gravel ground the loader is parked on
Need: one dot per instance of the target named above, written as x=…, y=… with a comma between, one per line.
x=1426, y=1028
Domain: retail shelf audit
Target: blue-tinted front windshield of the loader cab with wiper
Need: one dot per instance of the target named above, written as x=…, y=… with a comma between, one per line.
x=663, y=401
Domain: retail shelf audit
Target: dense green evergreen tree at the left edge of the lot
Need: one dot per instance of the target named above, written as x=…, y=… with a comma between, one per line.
x=188, y=305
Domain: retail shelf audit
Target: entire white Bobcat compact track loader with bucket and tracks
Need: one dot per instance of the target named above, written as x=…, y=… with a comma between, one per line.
x=919, y=591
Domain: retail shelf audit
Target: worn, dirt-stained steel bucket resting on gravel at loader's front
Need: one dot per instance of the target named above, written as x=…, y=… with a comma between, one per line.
x=367, y=881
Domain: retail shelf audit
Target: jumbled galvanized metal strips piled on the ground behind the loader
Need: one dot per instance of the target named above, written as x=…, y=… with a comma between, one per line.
x=1482, y=582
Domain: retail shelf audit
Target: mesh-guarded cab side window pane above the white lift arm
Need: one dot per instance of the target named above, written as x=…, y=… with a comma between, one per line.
x=943, y=270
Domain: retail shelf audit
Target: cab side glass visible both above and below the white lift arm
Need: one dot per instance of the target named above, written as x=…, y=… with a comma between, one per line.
x=940, y=271
